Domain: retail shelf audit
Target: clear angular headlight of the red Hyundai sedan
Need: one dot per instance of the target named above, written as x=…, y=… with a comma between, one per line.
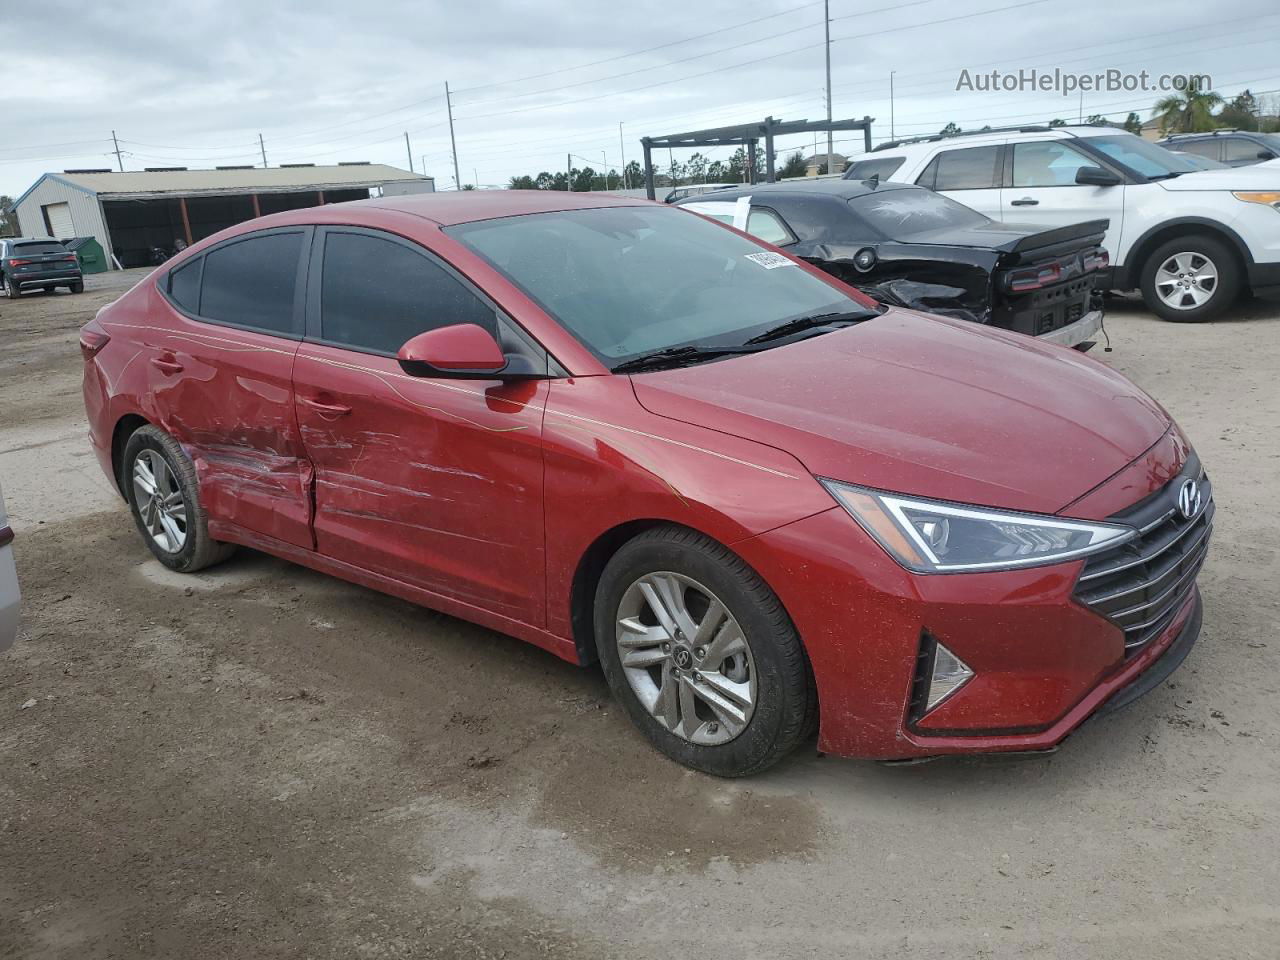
x=931, y=537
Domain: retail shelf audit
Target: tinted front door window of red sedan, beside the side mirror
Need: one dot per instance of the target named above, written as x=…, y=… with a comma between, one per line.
x=377, y=294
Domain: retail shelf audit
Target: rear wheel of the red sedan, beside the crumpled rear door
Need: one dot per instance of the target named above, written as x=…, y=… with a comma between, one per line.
x=164, y=497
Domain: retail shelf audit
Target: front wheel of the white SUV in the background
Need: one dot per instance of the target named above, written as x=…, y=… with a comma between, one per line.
x=1191, y=280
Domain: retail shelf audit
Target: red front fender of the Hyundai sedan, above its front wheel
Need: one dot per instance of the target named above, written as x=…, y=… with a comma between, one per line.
x=610, y=463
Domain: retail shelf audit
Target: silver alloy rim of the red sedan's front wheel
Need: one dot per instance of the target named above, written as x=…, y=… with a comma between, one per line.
x=687, y=659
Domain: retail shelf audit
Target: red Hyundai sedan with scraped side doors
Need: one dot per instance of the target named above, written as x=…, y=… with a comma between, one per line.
x=629, y=435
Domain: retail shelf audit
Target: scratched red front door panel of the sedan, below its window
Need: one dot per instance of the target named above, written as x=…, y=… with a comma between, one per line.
x=435, y=482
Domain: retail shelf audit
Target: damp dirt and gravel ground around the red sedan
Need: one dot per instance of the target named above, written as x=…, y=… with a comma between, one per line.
x=262, y=762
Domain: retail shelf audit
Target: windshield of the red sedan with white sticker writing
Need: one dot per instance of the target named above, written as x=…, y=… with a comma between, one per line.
x=636, y=280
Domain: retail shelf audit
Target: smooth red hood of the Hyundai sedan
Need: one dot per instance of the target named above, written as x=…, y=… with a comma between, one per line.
x=927, y=406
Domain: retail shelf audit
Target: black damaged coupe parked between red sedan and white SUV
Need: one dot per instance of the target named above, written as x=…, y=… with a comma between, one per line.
x=917, y=249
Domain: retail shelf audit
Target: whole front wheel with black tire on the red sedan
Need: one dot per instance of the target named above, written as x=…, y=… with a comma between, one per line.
x=702, y=655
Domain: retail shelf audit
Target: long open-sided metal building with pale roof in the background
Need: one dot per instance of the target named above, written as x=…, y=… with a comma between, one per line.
x=132, y=213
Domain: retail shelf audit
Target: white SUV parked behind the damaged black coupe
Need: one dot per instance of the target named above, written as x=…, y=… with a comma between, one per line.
x=1190, y=240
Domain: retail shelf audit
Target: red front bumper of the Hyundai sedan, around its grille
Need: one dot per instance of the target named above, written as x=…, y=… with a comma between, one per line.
x=1043, y=662
